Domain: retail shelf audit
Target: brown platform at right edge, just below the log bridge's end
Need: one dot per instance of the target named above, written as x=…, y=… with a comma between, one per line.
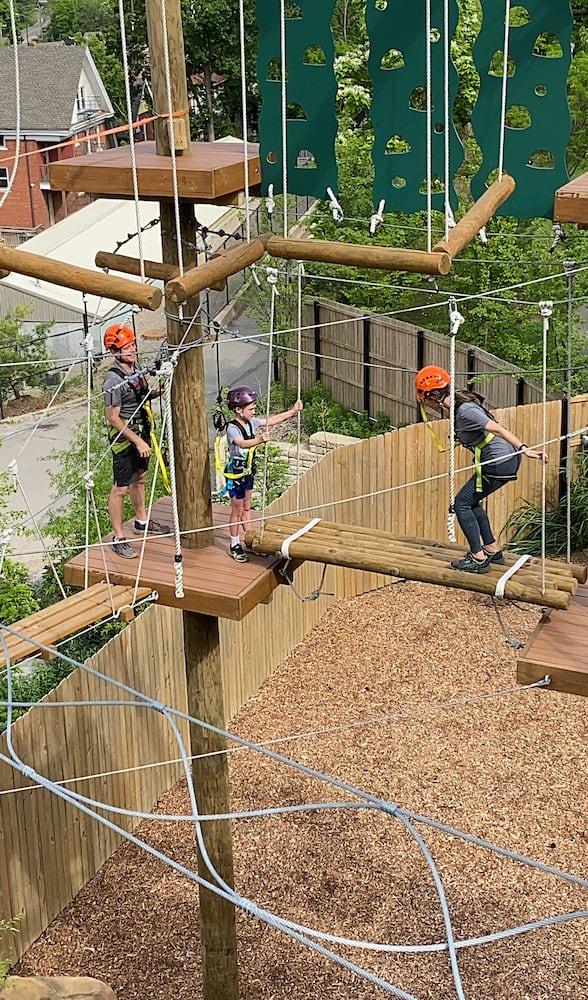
x=559, y=647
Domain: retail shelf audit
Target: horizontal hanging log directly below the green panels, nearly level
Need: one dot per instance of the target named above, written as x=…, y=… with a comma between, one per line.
x=360, y=255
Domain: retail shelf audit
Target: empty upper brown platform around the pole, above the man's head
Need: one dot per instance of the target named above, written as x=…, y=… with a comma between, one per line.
x=208, y=172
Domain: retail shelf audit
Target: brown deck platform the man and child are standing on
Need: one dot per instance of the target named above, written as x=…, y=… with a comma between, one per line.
x=214, y=584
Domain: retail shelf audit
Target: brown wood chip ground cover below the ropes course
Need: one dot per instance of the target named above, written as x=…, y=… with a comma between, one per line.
x=394, y=692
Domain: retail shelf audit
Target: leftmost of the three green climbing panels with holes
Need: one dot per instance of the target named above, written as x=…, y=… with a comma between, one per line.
x=311, y=90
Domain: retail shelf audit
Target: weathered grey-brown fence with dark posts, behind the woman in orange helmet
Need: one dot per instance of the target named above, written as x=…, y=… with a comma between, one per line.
x=368, y=362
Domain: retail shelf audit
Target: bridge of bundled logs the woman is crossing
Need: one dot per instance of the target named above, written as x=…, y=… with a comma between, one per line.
x=424, y=560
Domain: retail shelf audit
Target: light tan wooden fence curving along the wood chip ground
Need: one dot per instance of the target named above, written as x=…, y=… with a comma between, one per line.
x=395, y=482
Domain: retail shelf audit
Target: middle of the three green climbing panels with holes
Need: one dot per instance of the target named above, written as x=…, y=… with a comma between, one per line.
x=398, y=69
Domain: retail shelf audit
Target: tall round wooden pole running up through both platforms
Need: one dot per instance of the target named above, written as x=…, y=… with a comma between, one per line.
x=201, y=633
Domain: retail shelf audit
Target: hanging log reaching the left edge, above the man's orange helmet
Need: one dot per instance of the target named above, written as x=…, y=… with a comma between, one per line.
x=68, y=275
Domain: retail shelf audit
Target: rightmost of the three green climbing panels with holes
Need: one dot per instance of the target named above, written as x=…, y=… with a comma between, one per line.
x=537, y=114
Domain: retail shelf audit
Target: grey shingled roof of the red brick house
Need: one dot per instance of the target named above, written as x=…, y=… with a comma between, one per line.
x=49, y=76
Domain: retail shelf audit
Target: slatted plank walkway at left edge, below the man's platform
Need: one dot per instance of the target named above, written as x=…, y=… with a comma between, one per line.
x=51, y=625
